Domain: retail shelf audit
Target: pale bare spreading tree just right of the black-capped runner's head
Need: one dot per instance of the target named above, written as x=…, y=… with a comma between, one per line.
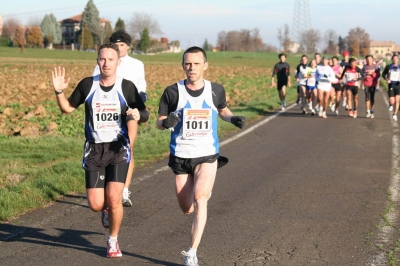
x=139, y=21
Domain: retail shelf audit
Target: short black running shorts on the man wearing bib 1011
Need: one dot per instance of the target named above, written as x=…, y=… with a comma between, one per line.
x=181, y=166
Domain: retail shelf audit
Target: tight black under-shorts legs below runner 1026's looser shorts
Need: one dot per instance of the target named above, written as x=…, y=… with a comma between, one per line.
x=111, y=173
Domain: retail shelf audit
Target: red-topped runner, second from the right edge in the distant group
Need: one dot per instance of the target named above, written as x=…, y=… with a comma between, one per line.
x=372, y=74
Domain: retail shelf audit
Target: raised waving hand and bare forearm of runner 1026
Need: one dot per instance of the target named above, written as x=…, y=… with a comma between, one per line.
x=59, y=84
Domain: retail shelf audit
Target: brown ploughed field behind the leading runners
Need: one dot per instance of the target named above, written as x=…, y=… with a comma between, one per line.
x=26, y=88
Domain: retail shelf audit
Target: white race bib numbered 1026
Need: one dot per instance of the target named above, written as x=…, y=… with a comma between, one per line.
x=106, y=116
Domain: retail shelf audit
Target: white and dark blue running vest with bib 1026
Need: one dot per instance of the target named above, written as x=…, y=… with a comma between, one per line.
x=105, y=118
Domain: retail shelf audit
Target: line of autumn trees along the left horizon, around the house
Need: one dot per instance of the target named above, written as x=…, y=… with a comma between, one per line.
x=43, y=34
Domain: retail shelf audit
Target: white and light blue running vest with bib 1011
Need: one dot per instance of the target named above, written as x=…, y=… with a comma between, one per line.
x=196, y=134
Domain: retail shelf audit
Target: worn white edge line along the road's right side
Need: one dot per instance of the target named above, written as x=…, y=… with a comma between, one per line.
x=385, y=233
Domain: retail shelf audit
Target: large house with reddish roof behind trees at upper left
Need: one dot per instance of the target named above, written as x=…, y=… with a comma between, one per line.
x=70, y=27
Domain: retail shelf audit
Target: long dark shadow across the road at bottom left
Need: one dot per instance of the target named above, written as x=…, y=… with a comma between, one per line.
x=67, y=238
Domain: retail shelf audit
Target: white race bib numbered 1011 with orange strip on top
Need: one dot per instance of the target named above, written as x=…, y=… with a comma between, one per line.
x=197, y=123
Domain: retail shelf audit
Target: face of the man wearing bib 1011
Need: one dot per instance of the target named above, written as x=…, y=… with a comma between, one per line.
x=194, y=66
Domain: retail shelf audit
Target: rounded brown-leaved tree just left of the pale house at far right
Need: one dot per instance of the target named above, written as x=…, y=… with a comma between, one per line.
x=358, y=41
